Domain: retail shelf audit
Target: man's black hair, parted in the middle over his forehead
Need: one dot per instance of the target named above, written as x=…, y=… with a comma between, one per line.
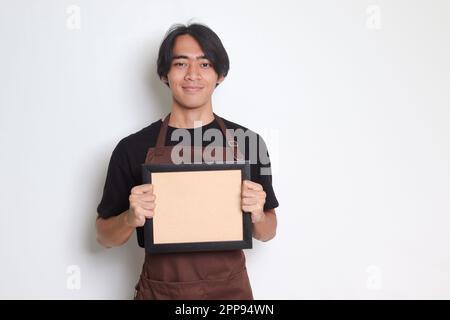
x=207, y=39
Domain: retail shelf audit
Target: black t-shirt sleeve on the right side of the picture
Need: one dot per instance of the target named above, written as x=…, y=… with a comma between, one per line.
x=261, y=173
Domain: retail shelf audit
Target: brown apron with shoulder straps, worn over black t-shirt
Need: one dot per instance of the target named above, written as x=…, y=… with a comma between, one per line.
x=212, y=275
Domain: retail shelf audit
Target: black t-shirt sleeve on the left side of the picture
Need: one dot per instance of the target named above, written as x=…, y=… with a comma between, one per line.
x=119, y=181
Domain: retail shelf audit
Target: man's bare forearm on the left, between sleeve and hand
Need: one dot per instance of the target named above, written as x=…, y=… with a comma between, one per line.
x=113, y=232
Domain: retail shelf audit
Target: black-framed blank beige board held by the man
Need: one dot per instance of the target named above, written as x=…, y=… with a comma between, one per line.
x=198, y=207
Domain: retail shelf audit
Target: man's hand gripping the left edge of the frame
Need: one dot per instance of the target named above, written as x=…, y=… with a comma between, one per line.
x=142, y=205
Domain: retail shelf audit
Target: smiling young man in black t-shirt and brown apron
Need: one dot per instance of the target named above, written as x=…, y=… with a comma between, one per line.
x=192, y=62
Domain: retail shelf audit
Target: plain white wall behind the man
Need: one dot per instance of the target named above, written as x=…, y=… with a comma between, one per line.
x=354, y=106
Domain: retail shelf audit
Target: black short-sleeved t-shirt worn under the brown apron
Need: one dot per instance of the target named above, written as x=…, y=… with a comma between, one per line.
x=124, y=170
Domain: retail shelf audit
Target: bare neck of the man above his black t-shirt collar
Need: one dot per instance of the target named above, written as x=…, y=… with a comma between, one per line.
x=183, y=117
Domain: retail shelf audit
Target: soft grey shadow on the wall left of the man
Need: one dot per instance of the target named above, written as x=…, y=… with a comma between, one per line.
x=130, y=256
